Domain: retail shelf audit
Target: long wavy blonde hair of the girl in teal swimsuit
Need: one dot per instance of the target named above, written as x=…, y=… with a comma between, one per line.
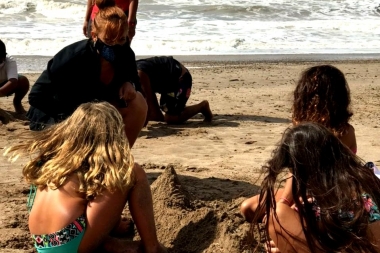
x=91, y=143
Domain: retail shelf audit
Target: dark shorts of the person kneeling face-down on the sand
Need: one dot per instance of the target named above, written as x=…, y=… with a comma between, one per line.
x=173, y=103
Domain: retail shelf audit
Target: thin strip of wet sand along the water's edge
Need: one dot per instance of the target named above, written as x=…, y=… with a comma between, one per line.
x=37, y=63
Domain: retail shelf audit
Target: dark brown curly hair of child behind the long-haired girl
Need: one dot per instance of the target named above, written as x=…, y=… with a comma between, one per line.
x=322, y=95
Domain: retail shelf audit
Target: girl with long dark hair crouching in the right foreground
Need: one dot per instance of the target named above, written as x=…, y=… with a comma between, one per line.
x=334, y=196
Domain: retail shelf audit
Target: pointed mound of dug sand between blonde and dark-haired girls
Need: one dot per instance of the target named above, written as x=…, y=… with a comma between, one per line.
x=187, y=224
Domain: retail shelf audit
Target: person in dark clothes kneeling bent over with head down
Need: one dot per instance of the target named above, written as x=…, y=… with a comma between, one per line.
x=168, y=77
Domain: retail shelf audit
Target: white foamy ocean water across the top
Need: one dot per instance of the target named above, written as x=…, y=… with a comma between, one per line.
x=205, y=27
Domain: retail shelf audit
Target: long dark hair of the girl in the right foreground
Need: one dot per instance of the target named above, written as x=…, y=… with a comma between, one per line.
x=325, y=170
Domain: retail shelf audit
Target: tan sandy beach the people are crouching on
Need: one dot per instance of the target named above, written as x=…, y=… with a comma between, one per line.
x=201, y=172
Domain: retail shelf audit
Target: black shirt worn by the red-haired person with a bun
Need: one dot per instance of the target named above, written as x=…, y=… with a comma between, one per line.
x=72, y=77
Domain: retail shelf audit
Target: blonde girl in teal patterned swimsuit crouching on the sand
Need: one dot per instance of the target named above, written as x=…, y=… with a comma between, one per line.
x=84, y=174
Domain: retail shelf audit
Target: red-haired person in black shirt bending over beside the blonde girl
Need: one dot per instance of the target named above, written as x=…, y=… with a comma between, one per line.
x=101, y=68
